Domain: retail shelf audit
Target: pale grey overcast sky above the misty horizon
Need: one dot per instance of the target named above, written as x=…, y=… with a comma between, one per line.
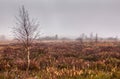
x=65, y=17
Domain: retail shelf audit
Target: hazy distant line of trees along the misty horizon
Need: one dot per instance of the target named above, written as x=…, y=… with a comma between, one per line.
x=82, y=37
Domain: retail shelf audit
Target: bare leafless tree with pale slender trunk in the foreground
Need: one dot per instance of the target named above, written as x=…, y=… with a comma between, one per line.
x=26, y=31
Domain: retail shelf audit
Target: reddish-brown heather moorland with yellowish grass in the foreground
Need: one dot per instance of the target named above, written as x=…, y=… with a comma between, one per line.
x=61, y=60
